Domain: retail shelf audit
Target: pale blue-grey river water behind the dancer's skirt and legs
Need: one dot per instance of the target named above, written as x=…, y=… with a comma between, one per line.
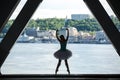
x=37, y=58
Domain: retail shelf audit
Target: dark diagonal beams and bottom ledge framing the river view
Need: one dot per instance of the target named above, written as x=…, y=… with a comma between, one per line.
x=94, y=6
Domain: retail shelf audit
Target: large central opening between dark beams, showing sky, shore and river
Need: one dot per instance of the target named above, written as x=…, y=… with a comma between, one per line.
x=92, y=51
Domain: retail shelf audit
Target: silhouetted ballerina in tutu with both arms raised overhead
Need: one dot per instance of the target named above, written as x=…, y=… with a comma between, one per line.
x=62, y=53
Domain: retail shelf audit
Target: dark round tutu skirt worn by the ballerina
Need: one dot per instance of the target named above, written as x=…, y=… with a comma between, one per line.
x=62, y=55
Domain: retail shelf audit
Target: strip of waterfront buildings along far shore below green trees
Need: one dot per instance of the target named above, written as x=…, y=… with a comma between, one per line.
x=48, y=36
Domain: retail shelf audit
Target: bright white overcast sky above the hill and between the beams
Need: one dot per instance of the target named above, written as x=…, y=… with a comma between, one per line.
x=60, y=8
